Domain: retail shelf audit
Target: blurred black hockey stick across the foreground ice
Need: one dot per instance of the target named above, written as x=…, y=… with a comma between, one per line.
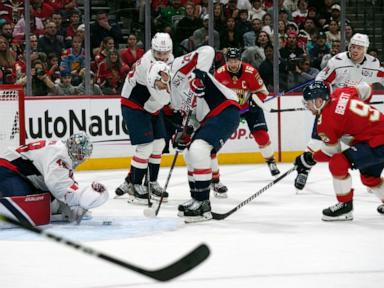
x=181, y=266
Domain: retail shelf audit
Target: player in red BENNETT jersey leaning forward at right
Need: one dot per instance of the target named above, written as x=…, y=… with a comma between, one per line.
x=366, y=153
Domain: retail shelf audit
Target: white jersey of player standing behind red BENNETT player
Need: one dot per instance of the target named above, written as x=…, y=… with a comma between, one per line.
x=341, y=71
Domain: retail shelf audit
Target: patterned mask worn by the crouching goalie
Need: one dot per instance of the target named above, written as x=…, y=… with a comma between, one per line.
x=79, y=147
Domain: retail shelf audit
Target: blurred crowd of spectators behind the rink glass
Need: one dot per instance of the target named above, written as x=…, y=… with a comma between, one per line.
x=308, y=32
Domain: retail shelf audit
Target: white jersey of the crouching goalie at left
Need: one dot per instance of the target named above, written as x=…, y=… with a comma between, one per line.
x=47, y=165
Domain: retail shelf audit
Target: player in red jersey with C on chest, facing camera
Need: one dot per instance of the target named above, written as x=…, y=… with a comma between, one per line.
x=247, y=83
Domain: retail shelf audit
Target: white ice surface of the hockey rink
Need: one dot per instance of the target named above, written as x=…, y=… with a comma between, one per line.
x=277, y=240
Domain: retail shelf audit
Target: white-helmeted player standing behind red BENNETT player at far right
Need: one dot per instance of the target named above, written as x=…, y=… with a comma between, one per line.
x=345, y=69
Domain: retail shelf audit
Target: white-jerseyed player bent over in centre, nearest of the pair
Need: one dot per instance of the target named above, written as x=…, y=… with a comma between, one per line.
x=215, y=113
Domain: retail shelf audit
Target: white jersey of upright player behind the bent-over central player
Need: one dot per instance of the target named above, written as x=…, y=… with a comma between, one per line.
x=138, y=93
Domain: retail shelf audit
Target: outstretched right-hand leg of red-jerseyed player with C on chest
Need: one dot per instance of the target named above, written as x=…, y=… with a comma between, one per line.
x=259, y=130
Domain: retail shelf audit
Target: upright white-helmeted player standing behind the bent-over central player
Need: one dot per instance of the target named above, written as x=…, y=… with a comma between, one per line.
x=141, y=108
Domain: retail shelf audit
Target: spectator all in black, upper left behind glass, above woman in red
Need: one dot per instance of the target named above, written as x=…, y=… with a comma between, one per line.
x=102, y=28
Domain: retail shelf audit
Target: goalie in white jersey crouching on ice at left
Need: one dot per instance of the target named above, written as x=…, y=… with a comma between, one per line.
x=31, y=174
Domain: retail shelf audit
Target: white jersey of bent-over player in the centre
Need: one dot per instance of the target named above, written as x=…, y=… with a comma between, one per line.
x=217, y=97
